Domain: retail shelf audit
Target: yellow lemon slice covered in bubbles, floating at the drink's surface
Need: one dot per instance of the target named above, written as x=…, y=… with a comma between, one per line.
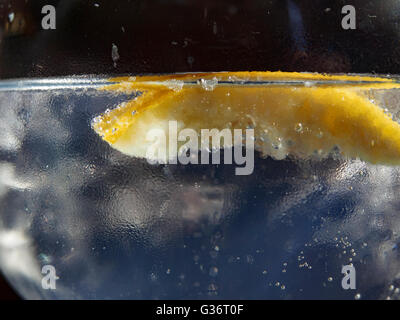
x=298, y=114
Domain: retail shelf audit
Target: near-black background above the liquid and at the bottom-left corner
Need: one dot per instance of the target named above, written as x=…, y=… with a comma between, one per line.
x=165, y=36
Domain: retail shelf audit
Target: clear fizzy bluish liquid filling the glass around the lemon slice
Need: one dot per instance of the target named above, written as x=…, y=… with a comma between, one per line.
x=115, y=226
